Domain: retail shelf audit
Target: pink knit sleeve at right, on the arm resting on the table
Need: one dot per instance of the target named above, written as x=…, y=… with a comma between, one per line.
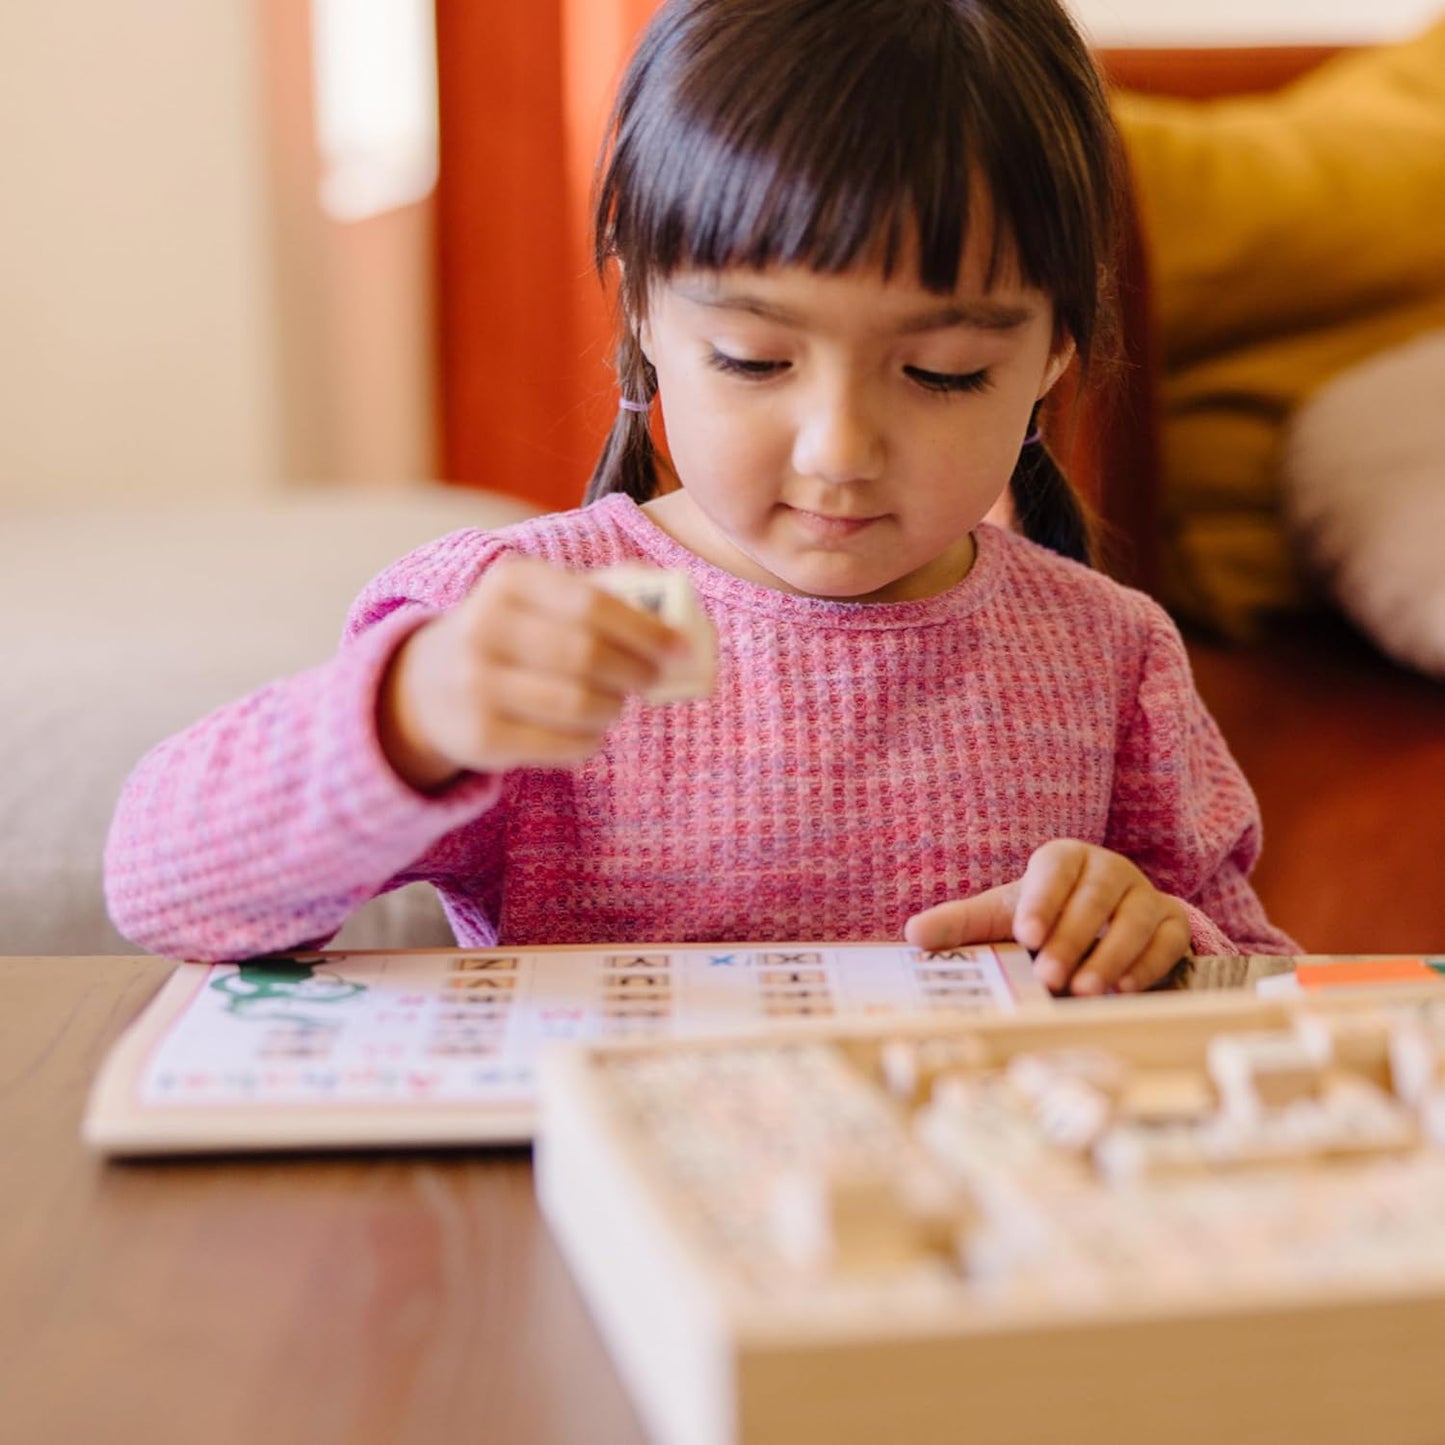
x=1183, y=810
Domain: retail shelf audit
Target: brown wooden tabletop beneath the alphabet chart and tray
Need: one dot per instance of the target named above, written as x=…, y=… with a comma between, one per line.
x=391, y=1298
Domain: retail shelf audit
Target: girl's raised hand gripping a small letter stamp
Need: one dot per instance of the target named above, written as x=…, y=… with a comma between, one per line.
x=528, y=673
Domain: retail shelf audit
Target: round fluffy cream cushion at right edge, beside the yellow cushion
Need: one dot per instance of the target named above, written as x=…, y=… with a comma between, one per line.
x=1365, y=489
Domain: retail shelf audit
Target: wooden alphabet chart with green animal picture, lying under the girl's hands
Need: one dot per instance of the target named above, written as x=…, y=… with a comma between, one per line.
x=440, y=1047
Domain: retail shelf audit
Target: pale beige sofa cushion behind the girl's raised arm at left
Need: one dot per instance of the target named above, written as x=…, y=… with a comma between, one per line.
x=122, y=626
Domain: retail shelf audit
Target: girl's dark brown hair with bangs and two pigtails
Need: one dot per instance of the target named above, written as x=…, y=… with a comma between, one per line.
x=830, y=132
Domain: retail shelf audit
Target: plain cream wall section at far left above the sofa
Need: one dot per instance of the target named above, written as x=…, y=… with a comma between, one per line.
x=137, y=329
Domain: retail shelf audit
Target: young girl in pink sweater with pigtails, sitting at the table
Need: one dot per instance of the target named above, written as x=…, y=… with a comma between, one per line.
x=859, y=242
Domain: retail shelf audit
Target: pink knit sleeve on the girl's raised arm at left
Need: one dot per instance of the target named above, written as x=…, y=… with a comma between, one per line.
x=268, y=823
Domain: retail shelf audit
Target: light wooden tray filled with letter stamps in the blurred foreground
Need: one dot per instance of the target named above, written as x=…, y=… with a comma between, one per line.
x=860, y=1235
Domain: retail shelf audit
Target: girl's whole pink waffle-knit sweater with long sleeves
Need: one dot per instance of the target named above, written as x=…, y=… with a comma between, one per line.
x=855, y=765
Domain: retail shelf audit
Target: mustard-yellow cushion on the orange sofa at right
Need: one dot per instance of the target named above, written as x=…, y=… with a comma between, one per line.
x=1291, y=236
